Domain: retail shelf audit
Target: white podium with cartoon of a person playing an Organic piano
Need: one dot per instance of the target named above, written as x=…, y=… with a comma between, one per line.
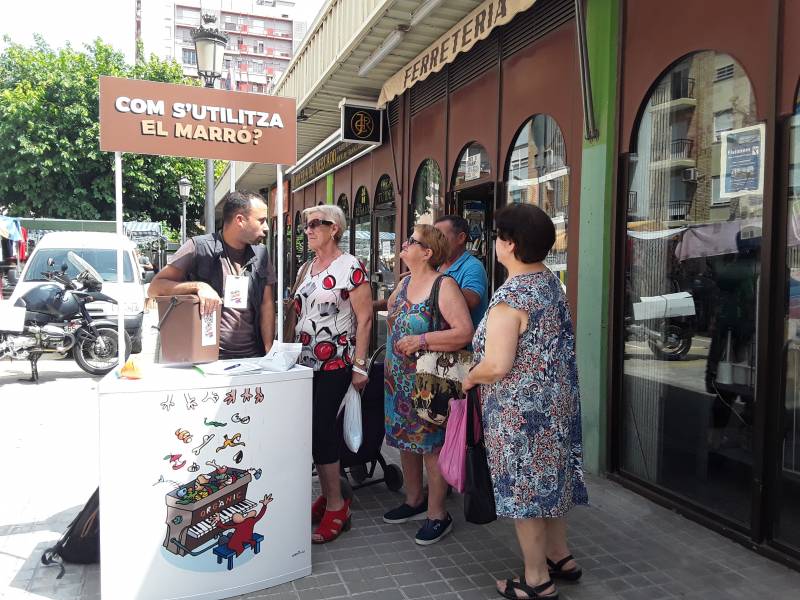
x=186, y=462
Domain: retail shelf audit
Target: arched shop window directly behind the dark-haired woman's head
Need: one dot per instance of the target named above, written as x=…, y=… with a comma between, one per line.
x=538, y=174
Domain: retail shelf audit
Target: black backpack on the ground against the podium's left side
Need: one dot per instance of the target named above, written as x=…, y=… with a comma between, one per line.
x=80, y=544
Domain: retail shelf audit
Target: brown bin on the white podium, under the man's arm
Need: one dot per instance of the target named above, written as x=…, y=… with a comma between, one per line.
x=180, y=332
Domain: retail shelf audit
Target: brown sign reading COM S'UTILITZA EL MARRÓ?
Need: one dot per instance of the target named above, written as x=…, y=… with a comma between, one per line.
x=149, y=117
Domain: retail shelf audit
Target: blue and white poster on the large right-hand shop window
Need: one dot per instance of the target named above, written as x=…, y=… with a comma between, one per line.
x=742, y=156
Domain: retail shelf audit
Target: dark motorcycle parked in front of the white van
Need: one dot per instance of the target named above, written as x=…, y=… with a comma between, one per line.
x=56, y=321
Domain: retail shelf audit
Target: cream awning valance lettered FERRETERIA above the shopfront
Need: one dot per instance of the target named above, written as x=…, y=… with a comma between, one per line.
x=473, y=28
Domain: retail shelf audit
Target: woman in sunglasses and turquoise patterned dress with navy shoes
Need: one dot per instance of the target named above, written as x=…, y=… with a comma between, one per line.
x=409, y=322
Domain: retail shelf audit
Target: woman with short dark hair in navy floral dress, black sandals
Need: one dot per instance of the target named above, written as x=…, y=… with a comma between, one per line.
x=525, y=346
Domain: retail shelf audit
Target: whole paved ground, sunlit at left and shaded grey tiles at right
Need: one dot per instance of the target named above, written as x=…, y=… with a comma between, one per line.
x=628, y=547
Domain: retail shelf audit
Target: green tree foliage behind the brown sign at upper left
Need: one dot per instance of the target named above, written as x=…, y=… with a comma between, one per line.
x=51, y=164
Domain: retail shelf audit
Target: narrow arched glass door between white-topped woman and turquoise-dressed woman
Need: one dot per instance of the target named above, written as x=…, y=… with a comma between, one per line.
x=384, y=254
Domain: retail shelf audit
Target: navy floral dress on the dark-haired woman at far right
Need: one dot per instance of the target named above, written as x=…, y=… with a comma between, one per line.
x=532, y=417
